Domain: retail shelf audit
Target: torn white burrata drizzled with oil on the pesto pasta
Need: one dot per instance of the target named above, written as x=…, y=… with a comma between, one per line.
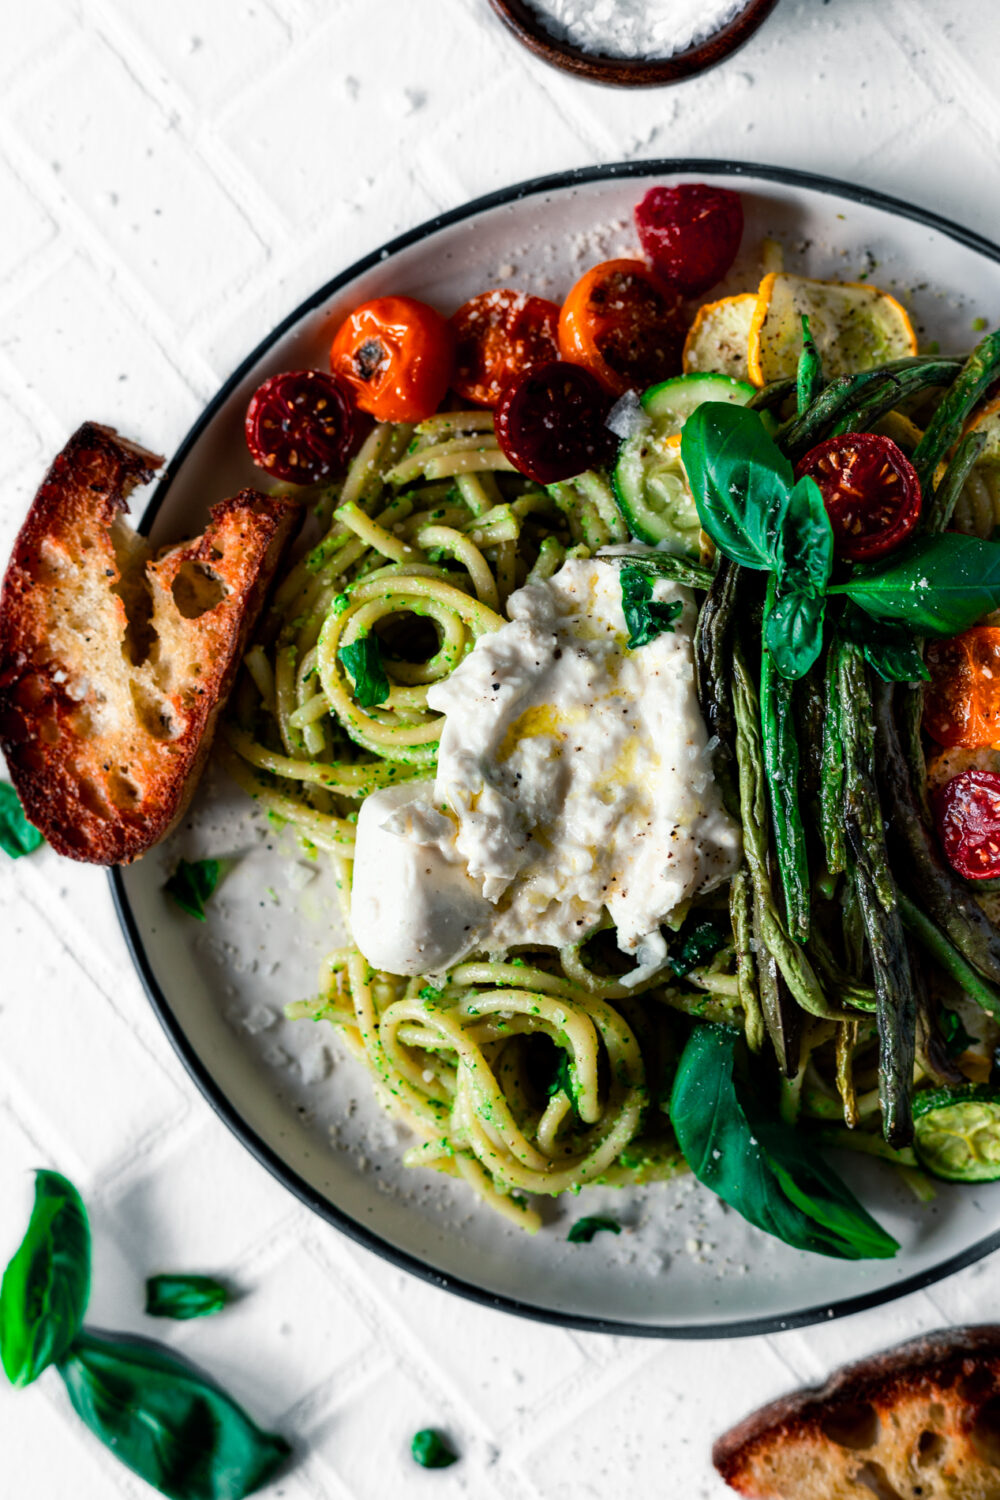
x=573, y=778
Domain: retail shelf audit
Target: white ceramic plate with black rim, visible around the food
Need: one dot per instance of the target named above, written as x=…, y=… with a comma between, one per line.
x=684, y=1265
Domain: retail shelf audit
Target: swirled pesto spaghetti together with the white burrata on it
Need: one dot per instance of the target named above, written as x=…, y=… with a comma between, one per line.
x=530, y=845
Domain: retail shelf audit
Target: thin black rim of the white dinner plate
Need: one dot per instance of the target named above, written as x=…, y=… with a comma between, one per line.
x=187, y=1052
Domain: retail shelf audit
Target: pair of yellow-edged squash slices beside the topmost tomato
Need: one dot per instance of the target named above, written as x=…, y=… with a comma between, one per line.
x=855, y=328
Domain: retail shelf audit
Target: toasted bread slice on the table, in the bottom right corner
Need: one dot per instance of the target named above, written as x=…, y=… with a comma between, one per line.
x=920, y=1423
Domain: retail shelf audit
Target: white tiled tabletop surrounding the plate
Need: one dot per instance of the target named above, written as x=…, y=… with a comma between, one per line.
x=175, y=178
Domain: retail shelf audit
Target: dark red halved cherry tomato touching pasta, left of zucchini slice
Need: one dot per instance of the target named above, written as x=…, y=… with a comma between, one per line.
x=551, y=422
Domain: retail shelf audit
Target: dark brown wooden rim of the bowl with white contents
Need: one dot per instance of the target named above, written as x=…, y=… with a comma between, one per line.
x=630, y=73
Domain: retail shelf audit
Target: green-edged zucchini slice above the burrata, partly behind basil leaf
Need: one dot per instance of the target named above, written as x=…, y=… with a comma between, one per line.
x=650, y=482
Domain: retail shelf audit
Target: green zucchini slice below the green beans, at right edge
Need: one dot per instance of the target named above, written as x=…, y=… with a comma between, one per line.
x=957, y=1133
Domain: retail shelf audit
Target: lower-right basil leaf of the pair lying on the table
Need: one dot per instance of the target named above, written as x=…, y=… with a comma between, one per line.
x=167, y=1421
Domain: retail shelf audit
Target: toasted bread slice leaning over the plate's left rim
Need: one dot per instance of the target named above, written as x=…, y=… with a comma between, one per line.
x=113, y=664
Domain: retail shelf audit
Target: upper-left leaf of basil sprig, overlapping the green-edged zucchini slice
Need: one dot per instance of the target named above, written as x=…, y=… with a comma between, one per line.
x=740, y=479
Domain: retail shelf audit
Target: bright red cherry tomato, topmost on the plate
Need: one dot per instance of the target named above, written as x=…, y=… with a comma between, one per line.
x=690, y=233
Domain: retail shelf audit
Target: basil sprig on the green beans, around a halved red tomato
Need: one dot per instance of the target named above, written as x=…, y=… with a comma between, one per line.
x=747, y=502
